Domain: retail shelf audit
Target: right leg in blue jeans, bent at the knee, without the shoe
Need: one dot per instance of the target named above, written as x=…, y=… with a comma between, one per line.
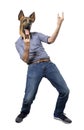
x=54, y=76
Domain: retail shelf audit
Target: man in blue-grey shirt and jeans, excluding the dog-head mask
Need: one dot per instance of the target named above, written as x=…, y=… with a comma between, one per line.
x=40, y=66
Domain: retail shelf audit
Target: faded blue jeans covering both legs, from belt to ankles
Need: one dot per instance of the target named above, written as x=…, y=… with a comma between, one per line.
x=35, y=73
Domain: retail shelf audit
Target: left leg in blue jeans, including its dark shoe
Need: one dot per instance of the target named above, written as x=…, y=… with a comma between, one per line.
x=34, y=77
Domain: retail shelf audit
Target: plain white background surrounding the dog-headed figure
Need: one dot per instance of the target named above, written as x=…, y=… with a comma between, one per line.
x=67, y=53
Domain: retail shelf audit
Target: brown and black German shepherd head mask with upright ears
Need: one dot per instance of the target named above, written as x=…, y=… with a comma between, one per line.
x=25, y=22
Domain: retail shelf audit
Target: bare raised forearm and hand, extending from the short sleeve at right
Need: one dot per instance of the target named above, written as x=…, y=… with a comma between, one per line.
x=52, y=38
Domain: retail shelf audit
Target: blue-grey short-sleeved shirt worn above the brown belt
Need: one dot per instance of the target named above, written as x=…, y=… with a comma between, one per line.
x=36, y=50
